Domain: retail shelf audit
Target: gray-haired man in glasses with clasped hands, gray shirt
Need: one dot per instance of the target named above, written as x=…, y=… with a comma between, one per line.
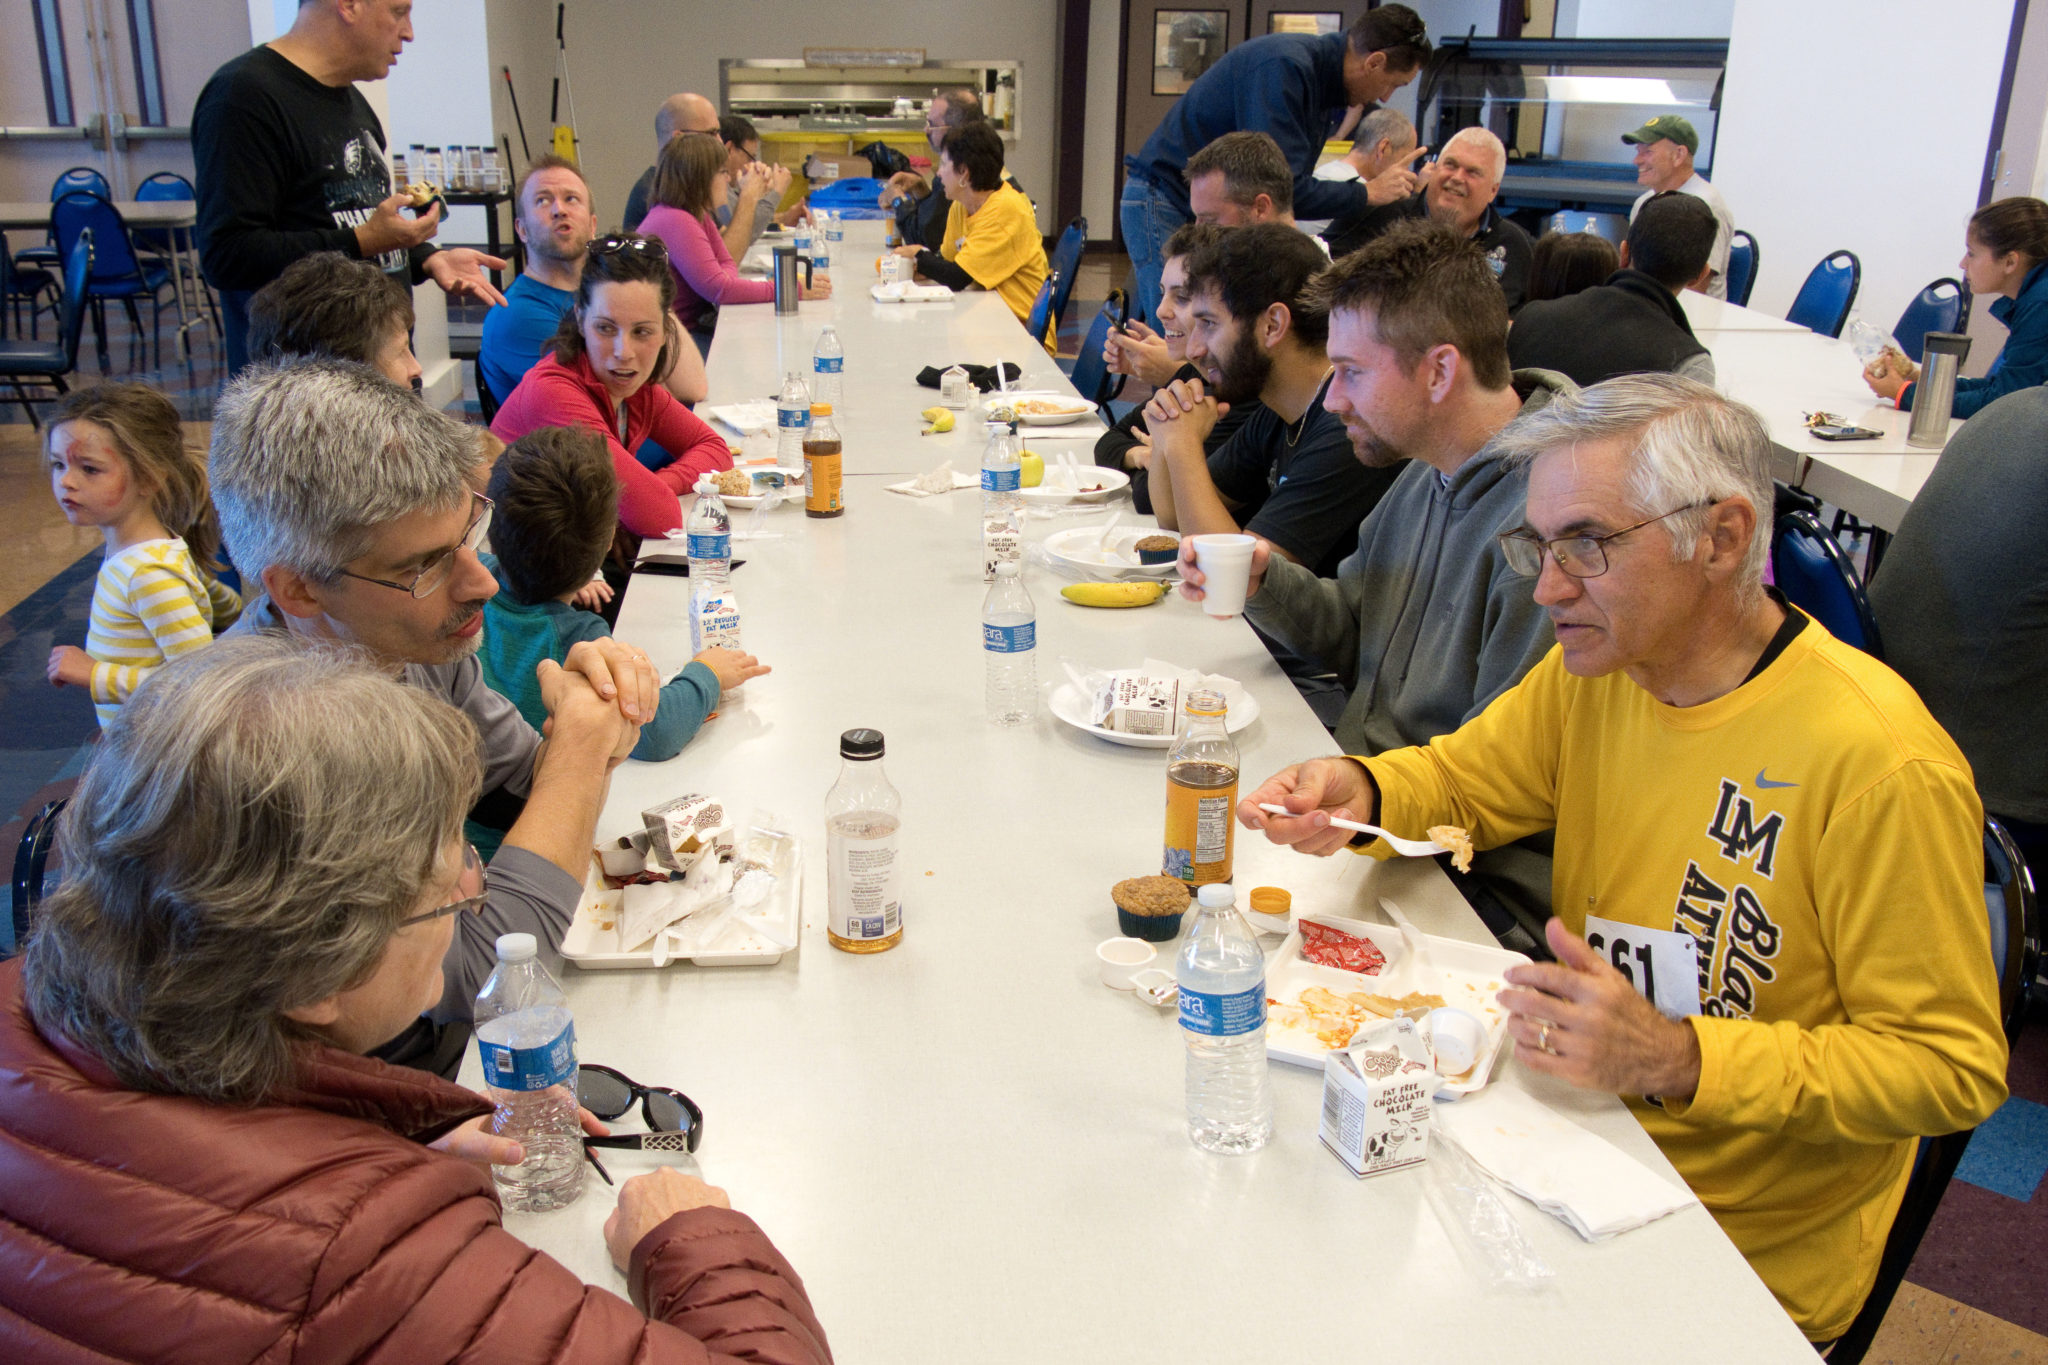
x=351, y=511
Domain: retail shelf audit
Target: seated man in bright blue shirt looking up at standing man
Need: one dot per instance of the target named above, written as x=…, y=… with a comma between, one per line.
x=556, y=222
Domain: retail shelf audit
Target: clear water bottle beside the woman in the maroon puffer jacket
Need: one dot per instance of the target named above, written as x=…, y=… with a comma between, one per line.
x=527, y=1043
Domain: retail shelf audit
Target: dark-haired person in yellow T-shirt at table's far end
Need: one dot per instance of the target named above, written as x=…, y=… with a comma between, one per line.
x=992, y=234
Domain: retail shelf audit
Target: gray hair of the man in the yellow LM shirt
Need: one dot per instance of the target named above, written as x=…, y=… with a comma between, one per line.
x=1689, y=445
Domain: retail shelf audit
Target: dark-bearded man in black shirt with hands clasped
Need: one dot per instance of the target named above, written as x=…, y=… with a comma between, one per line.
x=1289, y=474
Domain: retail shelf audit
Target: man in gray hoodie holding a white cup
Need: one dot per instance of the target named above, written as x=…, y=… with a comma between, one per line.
x=1426, y=623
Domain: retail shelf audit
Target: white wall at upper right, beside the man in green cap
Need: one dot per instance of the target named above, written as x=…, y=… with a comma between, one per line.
x=1877, y=148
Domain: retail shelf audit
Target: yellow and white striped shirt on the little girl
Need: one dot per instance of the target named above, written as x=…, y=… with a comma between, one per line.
x=148, y=607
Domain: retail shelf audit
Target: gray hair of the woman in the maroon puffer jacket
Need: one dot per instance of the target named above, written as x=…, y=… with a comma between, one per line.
x=253, y=830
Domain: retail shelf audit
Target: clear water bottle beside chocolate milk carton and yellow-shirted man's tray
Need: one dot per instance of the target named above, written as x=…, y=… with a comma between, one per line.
x=1224, y=1018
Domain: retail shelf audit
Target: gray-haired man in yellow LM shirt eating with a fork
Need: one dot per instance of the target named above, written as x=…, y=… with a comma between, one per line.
x=1770, y=928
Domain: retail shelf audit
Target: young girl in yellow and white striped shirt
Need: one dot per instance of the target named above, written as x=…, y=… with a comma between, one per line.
x=118, y=461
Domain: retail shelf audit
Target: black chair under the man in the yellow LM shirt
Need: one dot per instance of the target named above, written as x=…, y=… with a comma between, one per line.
x=2016, y=938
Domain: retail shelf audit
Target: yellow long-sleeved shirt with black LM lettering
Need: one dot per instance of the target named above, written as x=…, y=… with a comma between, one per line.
x=1820, y=840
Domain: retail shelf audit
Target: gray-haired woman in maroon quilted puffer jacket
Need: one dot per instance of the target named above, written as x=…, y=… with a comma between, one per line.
x=202, y=1161
